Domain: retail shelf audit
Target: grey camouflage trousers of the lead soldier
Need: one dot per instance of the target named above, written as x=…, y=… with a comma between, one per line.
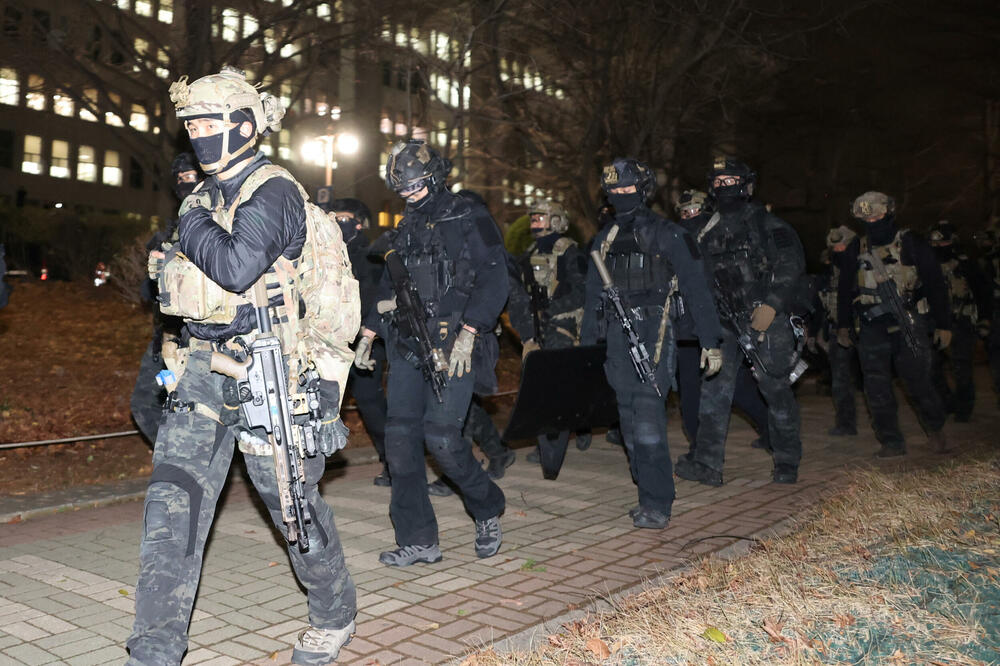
x=191, y=461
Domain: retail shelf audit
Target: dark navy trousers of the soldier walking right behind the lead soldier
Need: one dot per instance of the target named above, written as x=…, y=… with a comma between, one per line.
x=416, y=418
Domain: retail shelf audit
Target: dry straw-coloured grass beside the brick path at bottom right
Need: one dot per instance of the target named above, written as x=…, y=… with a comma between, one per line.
x=896, y=569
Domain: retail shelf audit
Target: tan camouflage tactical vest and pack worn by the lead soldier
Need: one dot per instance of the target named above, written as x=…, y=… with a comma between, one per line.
x=318, y=311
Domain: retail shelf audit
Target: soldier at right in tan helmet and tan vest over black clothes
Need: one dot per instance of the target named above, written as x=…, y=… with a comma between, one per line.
x=886, y=338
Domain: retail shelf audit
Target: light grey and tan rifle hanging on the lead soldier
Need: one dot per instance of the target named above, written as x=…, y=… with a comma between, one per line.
x=262, y=383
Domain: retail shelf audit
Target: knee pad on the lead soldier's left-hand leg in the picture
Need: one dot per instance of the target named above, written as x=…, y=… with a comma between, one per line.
x=173, y=504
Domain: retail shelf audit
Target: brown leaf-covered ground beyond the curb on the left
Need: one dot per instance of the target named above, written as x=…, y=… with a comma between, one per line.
x=69, y=355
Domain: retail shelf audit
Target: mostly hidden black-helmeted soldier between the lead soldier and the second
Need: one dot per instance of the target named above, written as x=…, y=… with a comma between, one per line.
x=354, y=218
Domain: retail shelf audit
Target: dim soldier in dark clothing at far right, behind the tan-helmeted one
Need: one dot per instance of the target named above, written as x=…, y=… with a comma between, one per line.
x=969, y=299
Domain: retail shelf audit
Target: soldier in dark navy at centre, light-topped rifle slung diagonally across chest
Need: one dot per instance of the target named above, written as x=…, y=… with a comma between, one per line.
x=648, y=259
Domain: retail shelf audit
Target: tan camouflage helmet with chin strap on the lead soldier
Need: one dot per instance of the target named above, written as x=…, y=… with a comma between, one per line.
x=221, y=96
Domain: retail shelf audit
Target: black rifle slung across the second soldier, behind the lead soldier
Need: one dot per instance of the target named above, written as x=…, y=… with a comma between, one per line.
x=412, y=322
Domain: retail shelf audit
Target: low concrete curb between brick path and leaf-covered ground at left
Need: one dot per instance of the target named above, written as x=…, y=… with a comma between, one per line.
x=18, y=509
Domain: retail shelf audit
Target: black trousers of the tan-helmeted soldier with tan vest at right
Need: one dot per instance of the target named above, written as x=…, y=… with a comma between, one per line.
x=880, y=352
